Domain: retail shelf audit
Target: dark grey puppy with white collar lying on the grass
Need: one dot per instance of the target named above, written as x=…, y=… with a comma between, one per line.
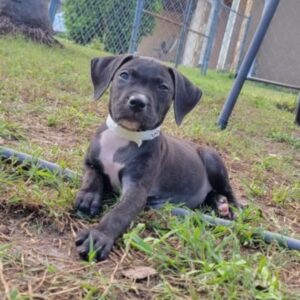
x=129, y=153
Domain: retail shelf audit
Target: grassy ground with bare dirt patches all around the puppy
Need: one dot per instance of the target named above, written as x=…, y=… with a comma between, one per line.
x=46, y=110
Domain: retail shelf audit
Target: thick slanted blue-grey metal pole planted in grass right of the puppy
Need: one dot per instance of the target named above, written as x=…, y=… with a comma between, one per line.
x=268, y=13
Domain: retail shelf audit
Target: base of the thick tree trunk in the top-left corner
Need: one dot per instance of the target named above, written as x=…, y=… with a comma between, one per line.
x=27, y=17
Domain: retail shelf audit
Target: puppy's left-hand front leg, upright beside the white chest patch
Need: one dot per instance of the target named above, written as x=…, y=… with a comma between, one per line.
x=88, y=199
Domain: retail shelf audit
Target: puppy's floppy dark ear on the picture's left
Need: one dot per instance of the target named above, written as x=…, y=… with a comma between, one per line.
x=103, y=70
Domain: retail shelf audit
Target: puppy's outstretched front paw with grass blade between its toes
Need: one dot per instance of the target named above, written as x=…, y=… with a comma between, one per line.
x=93, y=244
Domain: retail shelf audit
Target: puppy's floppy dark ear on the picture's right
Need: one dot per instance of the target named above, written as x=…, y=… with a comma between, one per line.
x=186, y=95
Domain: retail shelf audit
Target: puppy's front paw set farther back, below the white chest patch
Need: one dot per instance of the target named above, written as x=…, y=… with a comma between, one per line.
x=88, y=203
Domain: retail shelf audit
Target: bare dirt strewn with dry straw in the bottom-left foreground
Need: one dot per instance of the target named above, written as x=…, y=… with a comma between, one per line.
x=40, y=260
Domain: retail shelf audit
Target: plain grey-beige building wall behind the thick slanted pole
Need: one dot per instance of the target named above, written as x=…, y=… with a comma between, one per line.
x=279, y=56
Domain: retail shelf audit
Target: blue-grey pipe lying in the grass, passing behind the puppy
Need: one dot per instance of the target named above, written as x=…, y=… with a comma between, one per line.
x=267, y=236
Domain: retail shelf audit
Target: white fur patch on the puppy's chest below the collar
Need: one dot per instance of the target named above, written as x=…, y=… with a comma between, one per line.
x=110, y=143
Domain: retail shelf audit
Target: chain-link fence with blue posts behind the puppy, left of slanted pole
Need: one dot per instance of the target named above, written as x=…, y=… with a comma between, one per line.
x=199, y=33
